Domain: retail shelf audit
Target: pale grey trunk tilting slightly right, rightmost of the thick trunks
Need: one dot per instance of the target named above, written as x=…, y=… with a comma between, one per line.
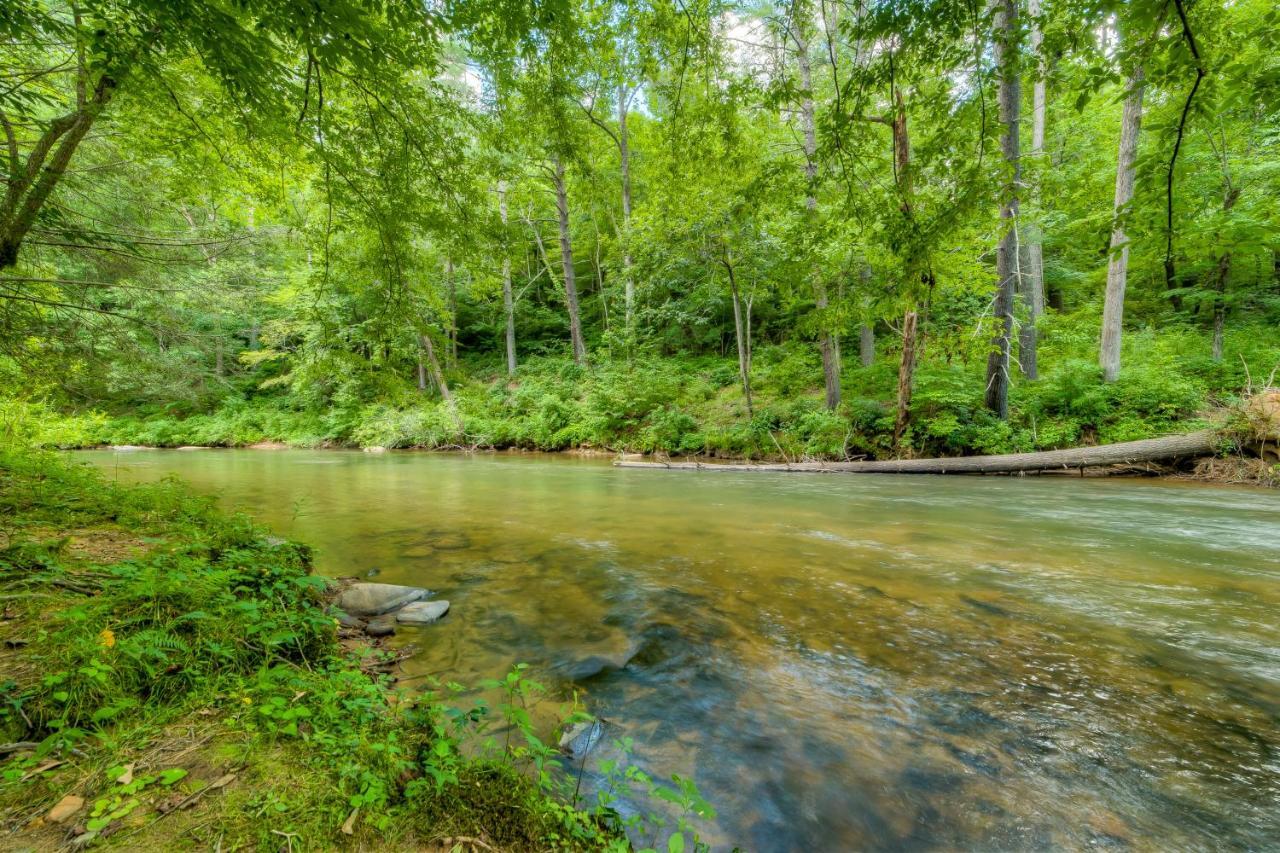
x=1118, y=264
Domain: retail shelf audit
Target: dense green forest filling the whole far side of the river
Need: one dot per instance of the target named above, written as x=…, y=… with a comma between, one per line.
x=808, y=230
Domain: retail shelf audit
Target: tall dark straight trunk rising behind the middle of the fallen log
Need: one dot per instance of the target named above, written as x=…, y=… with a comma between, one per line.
x=1007, y=254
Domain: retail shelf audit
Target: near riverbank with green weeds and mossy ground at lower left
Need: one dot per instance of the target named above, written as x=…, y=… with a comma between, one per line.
x=172, y=681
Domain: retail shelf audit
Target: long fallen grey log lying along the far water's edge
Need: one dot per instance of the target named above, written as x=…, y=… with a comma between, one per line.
x=1150, y=450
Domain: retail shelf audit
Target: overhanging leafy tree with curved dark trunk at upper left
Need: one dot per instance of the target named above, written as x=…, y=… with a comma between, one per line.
x=253, y=51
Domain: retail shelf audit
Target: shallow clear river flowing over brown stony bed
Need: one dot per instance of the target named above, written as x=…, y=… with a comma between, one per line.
x=842, y=663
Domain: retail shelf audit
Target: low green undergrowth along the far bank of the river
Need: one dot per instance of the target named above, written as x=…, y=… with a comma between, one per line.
x=694, y=405
